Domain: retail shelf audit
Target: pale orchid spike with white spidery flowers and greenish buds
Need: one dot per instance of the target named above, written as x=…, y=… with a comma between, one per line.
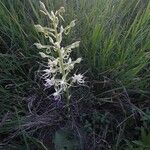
x=57, y=73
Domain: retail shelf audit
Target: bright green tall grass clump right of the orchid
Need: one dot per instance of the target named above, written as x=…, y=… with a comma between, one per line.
x=116, y=40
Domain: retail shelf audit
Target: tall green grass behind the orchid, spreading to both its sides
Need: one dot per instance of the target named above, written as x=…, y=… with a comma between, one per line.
x=114, y=34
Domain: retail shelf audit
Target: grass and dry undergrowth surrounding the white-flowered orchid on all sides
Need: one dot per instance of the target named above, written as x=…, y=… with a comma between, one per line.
x=113, y=112
